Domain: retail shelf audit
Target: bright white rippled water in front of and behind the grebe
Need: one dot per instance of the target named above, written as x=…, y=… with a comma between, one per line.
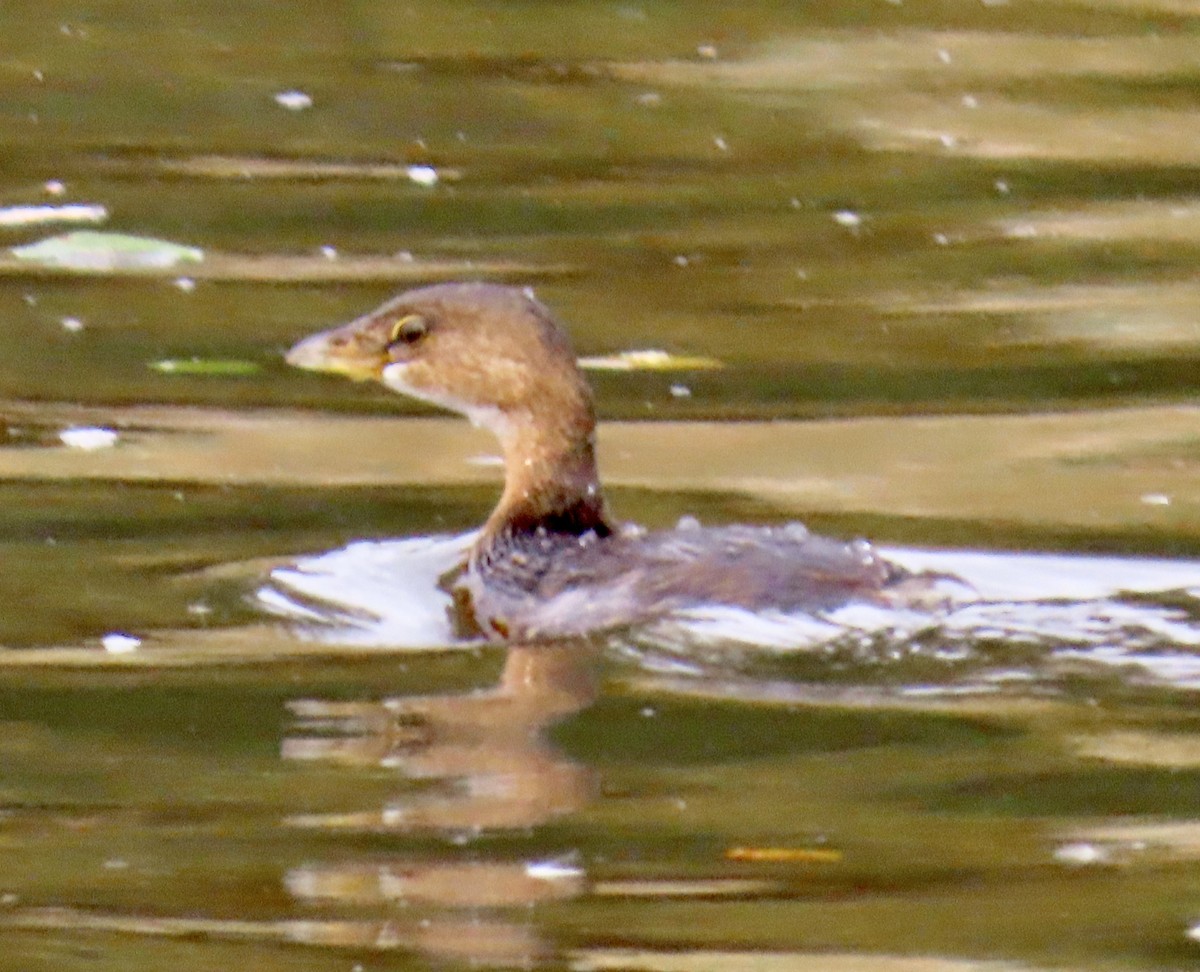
x=1081, y=608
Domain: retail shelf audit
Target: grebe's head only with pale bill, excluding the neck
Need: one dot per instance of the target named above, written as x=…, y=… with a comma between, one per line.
x=491, y=353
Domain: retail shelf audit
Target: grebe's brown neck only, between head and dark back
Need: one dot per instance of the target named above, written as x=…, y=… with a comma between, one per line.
x=550, y=481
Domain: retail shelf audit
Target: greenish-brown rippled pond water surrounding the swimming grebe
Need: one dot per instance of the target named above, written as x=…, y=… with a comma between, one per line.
x=865, y=212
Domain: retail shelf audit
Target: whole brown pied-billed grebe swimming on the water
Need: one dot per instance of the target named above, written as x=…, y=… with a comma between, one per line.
x=550, y=562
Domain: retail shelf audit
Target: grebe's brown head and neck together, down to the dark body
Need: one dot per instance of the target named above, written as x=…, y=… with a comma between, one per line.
x=496, y=356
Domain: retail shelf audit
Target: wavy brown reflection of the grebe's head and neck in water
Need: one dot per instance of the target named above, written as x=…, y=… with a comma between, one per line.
x=497, y=772
